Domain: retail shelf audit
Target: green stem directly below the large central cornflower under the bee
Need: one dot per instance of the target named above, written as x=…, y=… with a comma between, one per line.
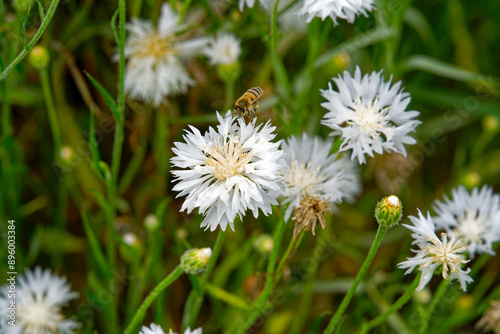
x=195, y=298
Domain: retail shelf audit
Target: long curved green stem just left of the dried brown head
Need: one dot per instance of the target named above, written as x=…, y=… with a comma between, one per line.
x=260, y=303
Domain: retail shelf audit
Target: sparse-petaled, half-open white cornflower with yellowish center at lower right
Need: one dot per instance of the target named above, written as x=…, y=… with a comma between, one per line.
x=446, y=253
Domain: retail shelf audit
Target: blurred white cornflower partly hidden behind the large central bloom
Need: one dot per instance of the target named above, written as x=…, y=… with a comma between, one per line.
x=310, y=170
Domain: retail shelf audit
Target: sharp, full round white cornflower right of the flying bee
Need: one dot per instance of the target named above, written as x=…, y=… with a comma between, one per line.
x=369, y=114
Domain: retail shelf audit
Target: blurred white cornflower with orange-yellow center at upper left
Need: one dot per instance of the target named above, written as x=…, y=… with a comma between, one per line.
x=155, y=69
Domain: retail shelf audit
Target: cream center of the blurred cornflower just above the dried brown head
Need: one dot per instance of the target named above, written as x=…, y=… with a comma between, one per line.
x=306, y=179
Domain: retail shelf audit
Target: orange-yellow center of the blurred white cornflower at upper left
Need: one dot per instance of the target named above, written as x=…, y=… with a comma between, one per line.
x=154, y=46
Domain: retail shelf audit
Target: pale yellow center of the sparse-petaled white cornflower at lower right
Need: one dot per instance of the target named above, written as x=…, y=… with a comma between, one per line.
x=447, y=252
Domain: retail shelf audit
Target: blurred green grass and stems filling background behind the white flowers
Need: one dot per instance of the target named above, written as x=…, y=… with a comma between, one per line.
x=447, y=54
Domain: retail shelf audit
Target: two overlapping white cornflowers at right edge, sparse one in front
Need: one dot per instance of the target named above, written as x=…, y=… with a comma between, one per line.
x=472, y=224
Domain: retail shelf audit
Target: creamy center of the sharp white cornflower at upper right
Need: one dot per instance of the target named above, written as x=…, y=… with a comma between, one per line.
x=369, y=116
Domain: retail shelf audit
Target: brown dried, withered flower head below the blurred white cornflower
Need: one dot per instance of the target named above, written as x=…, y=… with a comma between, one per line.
x=310, y=210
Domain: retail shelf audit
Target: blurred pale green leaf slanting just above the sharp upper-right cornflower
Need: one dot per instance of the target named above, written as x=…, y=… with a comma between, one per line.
x=360, y=41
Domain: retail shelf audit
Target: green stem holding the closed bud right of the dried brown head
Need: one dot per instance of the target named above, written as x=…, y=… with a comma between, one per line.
x=334, y=322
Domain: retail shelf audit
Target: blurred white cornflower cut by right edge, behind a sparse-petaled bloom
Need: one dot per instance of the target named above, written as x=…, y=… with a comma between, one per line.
x=476, y=216
